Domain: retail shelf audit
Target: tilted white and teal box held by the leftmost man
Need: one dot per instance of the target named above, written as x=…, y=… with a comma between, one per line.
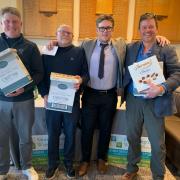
x=13, y=74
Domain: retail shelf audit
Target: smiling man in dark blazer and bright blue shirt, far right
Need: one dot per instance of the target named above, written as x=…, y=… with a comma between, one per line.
x=151, y=105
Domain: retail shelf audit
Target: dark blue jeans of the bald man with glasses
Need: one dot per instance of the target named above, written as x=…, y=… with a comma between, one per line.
x=55, y=121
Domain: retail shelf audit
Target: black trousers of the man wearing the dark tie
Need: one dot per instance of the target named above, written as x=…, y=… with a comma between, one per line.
x=98, y=109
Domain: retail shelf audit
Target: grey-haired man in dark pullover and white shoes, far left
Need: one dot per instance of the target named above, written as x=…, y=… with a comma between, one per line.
x=21, y=102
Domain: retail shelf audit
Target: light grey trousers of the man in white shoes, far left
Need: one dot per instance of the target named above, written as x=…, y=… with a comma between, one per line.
x=17, y=116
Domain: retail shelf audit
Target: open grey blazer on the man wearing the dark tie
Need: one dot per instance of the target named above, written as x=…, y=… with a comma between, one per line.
x=120, y=48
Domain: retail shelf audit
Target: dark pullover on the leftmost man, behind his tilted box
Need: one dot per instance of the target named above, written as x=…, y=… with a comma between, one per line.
x=31, y=58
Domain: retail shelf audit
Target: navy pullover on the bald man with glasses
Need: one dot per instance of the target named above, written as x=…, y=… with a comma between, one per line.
x=69, y=60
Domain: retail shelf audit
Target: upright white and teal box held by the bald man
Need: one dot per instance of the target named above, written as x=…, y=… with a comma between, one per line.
x=62, y=92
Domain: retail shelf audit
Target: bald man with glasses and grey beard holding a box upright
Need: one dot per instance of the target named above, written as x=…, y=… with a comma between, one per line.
x=68, y=60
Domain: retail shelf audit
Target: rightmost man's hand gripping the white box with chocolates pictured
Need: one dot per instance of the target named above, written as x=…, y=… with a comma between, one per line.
x=153, y=90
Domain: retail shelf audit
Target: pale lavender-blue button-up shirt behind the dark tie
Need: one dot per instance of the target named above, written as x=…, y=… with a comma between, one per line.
x=110, y=68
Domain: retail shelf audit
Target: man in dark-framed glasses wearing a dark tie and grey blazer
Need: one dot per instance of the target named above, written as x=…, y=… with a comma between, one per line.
x=100, y=97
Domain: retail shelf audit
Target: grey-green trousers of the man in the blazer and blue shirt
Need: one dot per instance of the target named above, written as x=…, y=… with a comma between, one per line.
x=139, y=112
